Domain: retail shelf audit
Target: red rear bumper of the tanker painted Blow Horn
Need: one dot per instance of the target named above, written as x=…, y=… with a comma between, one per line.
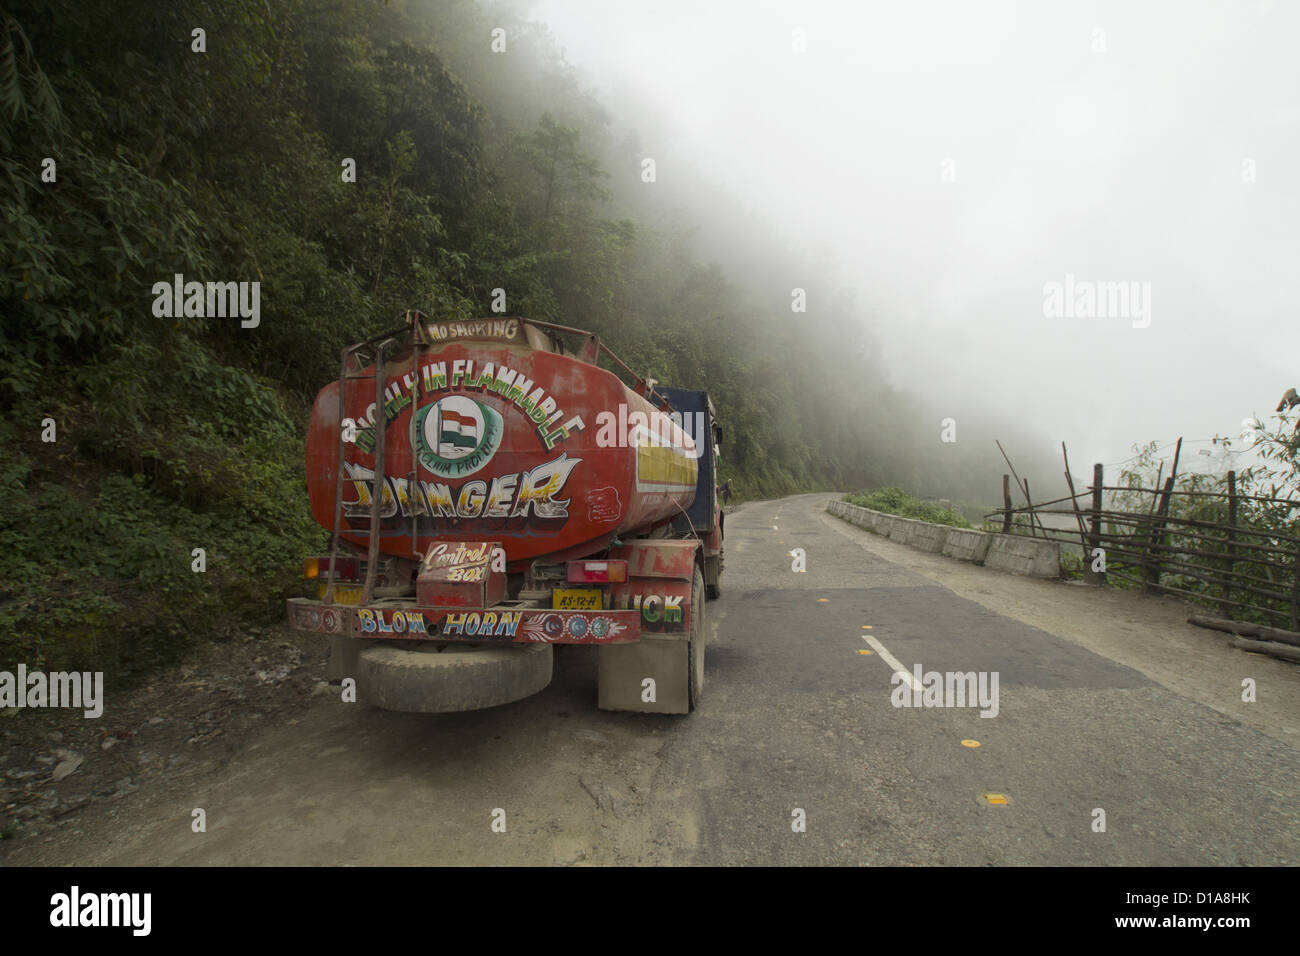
x=504, y=624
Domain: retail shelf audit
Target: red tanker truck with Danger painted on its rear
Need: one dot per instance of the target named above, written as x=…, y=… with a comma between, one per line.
x=492, y=492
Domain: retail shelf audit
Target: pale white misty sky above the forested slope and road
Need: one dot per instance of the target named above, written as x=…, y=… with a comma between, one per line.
x=1117, y=166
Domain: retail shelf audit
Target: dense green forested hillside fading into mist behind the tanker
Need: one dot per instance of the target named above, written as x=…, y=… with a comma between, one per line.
x=129, y=157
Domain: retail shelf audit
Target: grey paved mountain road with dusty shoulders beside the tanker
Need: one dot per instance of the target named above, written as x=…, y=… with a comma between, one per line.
x=795, y=719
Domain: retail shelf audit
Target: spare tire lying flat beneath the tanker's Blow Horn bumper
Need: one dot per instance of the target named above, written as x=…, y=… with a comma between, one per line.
x=432, y=678
